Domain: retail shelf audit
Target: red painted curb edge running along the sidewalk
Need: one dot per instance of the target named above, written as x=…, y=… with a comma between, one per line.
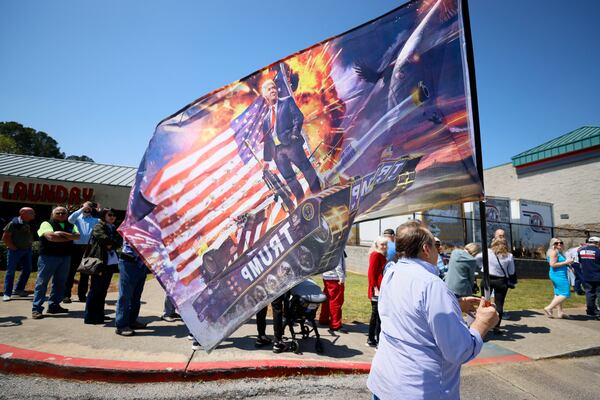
x=23, y=361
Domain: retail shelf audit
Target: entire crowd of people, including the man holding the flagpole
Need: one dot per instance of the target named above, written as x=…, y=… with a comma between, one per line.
x=416, y=317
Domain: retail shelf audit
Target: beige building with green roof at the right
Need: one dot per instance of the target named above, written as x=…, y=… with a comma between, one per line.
x=564, y=172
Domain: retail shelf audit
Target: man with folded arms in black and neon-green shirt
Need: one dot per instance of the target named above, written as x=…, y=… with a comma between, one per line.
x=56, y=241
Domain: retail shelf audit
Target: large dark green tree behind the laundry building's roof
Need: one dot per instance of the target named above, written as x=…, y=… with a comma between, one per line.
x=28, y=141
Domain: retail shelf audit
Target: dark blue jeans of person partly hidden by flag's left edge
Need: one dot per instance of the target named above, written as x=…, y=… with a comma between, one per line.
x=131, y=285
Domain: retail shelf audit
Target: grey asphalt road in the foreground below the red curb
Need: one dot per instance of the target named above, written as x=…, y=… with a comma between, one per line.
x=554, y=379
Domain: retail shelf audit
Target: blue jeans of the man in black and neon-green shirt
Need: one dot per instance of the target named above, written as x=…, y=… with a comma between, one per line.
x=57, y=268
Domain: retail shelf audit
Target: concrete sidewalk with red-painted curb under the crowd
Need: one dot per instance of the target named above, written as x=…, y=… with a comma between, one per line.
x=62, y=345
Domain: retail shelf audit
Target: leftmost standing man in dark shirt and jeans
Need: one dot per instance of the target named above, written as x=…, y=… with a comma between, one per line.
x=18, y=238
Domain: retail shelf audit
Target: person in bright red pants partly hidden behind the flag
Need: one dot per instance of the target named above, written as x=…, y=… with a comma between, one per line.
x=333, y=282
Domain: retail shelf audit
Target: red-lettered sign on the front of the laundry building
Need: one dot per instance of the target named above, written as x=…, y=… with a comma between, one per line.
x=45, y=193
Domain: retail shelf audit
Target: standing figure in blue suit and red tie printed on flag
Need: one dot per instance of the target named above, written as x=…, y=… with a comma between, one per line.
x=283, y=141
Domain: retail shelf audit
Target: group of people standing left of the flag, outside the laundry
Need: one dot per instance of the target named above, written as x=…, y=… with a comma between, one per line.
x=64, y=240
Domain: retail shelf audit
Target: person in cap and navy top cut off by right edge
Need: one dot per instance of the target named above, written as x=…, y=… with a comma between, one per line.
x=589, y=258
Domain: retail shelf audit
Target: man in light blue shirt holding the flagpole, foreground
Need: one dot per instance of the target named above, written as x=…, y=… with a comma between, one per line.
x=424, y=340
